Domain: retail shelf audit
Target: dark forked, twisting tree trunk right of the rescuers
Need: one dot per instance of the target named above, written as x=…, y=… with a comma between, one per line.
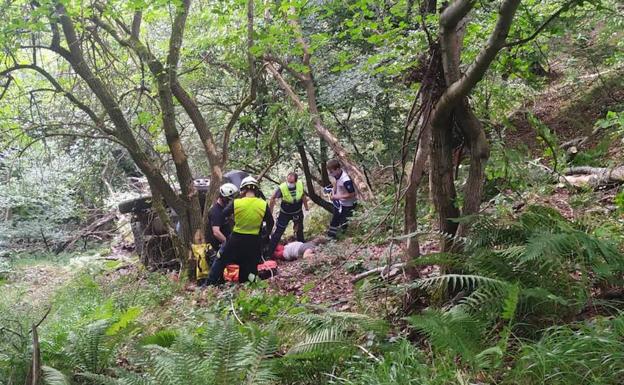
x=452, y=108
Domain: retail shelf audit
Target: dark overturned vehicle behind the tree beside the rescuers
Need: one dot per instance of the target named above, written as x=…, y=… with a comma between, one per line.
x=152, y=241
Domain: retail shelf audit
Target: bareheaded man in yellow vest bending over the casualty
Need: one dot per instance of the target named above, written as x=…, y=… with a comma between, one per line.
x=291, y=209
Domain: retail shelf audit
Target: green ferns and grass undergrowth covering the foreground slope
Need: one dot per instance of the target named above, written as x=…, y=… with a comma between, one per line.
x=520, y=305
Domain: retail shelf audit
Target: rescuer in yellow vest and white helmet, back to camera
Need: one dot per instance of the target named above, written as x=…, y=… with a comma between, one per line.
x=244, y=246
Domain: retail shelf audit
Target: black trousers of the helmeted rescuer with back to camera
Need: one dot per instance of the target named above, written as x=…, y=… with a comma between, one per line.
x=241, y=249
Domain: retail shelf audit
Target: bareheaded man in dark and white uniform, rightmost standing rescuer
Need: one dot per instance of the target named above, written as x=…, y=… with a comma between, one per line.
x=343, y=196
